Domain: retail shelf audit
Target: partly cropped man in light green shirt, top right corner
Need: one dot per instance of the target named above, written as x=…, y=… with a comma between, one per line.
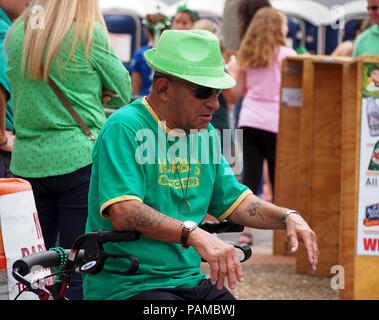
x=368, y=41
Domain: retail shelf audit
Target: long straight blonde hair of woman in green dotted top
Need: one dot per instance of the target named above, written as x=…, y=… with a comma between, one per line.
x=42, y=43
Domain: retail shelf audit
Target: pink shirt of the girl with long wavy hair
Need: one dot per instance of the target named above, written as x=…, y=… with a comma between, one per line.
x=260, y=107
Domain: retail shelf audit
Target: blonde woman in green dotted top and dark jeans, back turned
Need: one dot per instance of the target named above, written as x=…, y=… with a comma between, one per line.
x=66, y=40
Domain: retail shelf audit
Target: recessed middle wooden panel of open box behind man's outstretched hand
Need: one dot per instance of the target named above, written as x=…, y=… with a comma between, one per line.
x=320, y=160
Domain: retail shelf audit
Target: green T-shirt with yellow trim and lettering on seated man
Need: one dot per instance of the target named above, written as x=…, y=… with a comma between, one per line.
x=131, y=160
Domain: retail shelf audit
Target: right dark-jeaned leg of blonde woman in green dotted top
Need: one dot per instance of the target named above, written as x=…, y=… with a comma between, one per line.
x=73, y=212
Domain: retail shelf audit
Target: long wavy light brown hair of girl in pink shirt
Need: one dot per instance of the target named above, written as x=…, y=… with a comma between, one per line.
x=263, y=38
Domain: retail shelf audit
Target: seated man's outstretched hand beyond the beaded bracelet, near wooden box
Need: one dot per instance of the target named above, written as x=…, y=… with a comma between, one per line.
x=299, y=230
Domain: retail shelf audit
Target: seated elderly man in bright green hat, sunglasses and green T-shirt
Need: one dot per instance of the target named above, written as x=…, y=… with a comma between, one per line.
x=158, y=169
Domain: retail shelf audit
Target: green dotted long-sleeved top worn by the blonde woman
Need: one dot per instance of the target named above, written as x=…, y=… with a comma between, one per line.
x=48, y=140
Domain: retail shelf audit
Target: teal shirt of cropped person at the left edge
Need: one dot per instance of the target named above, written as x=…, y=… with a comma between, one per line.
x=5, y=24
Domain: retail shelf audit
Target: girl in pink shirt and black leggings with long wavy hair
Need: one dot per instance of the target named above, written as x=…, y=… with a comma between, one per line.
x=258, y=75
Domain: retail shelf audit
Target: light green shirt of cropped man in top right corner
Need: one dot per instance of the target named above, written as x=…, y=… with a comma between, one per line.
x=368, y=42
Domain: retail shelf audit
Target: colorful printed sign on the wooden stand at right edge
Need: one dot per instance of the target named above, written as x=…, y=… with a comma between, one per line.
x=368, y=195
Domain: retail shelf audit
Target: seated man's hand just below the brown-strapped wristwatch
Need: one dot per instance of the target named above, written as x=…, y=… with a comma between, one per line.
x=221, y=256
